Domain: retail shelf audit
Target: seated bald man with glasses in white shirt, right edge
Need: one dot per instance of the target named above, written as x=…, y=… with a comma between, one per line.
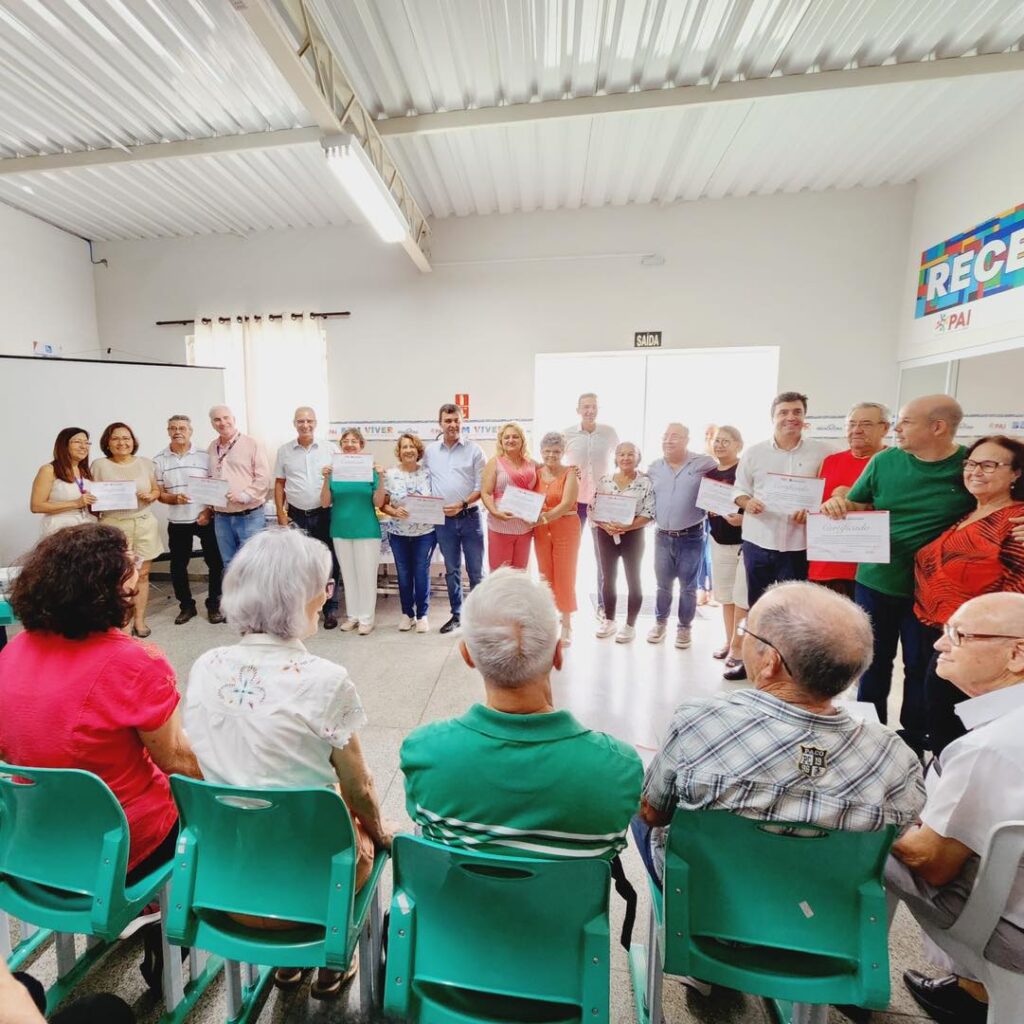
x=977, y=784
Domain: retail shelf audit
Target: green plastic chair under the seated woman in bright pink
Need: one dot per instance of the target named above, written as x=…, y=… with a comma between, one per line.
x=64, y=852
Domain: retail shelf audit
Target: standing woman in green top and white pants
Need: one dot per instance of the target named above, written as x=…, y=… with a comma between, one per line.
x=357, y=535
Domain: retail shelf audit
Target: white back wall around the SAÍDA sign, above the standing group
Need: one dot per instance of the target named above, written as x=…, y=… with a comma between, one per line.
x=819, y=275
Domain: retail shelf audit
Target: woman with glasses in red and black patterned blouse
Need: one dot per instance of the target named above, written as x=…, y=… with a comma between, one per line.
x=977, y=556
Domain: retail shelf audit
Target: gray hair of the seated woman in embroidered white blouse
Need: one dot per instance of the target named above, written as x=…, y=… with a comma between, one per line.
x=272, y=580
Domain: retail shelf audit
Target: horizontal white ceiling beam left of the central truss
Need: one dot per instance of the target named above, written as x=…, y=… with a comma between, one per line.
x=161, y=151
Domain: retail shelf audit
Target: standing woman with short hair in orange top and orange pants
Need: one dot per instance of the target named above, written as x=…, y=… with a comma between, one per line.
x=557, y=537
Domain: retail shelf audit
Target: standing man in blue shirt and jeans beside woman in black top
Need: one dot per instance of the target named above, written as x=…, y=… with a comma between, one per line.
x=679, y=531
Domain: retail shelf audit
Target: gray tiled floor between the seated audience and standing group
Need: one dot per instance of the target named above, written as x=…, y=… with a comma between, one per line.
x=406, y=679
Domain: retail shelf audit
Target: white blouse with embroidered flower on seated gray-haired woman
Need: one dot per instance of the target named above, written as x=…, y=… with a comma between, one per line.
x=268, y=713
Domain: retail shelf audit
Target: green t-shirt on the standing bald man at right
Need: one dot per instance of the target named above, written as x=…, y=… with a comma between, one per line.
x=923, y=499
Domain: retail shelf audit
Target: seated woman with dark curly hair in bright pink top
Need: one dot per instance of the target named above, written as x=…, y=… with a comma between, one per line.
x=77, y=693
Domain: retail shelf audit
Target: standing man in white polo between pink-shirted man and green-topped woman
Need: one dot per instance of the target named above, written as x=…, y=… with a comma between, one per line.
x=297, y=487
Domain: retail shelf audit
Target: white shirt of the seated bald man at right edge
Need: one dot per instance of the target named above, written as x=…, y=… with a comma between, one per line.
x=982, y=784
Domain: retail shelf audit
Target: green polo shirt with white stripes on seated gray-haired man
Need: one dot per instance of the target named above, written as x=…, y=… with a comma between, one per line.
x=529, y=786
